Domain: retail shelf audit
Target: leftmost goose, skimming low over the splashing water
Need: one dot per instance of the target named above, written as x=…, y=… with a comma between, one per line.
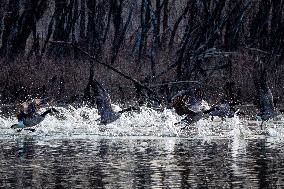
x=29, y=116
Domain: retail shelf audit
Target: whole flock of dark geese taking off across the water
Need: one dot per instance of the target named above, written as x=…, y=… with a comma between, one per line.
x=188, y=103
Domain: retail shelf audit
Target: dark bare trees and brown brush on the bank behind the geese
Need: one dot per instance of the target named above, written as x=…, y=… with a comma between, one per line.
x=152, y=41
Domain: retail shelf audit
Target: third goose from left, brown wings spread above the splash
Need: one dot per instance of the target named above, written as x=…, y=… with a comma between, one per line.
x=190, y=103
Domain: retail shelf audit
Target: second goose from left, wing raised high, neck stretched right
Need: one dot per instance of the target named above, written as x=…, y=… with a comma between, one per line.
x=103, y=102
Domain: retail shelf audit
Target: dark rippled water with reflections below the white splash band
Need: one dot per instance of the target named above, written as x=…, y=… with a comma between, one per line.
x=141, y=163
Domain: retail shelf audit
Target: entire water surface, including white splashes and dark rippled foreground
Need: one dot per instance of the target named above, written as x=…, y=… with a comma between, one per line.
x=141, y=150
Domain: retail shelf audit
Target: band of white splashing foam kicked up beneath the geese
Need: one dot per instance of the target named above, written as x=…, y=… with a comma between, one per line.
x=83, y=123
